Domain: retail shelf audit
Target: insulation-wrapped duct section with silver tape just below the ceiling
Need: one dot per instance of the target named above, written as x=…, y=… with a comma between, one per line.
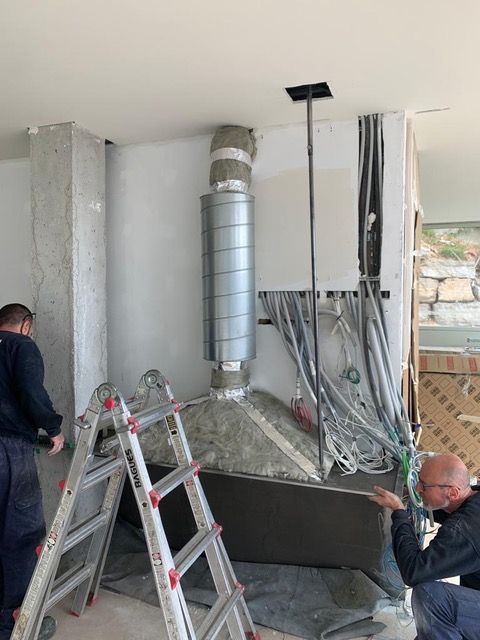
x=232, y=151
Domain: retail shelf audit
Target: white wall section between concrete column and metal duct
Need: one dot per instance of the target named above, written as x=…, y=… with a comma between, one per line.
x=154, y=296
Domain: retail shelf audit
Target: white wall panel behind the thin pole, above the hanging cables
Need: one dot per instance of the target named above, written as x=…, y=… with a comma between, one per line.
x=280, y=186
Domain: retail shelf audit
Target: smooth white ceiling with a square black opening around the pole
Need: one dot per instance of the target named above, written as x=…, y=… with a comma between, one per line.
x=147, y=70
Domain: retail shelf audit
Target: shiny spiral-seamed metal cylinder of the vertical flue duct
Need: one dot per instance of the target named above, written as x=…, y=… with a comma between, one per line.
x=228, y=276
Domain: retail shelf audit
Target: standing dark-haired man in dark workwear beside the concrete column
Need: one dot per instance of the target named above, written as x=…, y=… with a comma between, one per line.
x=25, y=407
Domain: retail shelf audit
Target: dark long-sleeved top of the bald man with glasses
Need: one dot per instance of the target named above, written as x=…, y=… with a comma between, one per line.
x=454, y=551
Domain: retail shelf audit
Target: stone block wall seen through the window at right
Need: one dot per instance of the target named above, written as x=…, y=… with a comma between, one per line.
x=449, y=279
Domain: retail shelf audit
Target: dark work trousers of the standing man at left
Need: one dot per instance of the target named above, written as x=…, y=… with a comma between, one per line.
x=22, y=525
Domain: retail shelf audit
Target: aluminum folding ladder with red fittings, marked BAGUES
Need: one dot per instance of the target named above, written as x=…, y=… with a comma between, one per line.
x=124, y=456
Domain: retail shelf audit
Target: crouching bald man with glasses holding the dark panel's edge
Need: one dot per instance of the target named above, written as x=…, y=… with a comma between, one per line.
x=442, y=611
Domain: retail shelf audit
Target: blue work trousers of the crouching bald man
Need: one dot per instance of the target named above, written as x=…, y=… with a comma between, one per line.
x=445, y=611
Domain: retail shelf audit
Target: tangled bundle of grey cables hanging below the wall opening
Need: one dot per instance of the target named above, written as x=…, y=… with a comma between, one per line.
x=353, y=433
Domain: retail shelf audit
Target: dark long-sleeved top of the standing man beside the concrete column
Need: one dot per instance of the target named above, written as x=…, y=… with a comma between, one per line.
x=25, y=405
